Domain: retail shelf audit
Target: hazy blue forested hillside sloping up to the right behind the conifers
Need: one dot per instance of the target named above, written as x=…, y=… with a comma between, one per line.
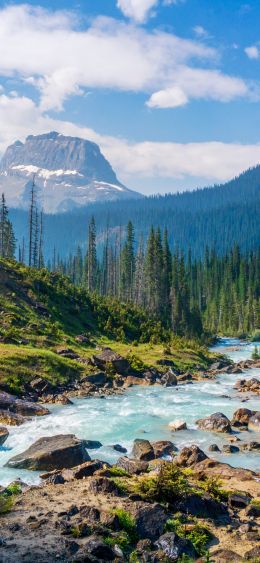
x=194, y=220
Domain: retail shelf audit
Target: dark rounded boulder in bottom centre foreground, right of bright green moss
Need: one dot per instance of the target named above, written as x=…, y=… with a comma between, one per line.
x=150, y=520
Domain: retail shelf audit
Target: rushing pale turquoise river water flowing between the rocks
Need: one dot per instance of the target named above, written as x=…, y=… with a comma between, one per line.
x=144, y=412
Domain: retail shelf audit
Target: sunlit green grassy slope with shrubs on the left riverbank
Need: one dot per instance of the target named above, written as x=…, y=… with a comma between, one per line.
x=40, y=311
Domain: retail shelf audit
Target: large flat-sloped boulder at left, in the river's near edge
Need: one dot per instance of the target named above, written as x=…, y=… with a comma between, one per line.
x=55, y=452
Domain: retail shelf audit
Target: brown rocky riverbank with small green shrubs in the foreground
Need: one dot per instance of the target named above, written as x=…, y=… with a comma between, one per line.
x=146, y=510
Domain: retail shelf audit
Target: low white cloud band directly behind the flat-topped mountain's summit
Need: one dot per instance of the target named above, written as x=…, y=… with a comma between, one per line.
x=210, y=161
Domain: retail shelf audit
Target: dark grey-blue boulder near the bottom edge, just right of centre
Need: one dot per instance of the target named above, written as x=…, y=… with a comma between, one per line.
x=175, y=547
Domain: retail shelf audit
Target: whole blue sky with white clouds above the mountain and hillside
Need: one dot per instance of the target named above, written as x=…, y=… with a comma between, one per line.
x=169, y=89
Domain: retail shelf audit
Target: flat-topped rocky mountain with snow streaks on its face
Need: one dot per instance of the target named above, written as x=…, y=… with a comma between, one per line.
x=69, y=173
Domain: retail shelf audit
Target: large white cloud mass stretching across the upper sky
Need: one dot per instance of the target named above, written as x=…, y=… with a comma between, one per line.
x=61, y=58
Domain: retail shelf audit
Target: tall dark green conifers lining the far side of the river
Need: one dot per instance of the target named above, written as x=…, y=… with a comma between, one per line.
x=215, y=294
